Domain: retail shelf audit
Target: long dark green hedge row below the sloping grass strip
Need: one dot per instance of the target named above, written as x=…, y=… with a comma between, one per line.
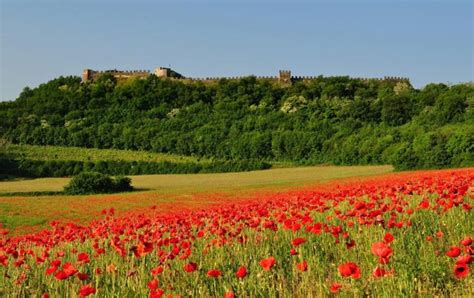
x=39, y=168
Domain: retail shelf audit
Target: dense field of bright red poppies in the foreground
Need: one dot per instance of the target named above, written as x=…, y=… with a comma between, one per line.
x=401, y=235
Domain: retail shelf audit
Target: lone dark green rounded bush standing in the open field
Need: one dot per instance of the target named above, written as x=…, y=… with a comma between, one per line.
x=93, y=182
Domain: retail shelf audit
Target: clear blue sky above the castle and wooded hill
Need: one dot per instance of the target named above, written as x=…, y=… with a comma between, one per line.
x=427, y=41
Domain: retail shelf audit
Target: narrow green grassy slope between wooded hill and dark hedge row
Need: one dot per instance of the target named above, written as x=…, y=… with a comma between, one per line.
x=34, y=152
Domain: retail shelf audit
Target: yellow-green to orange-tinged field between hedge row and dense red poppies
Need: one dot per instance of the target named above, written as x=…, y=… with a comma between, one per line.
x=168, y=192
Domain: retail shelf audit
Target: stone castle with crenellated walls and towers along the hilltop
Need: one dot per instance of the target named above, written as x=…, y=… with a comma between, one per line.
x=284, y=76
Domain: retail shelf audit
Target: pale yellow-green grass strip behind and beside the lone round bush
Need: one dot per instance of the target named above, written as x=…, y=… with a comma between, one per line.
x=178, y=183
